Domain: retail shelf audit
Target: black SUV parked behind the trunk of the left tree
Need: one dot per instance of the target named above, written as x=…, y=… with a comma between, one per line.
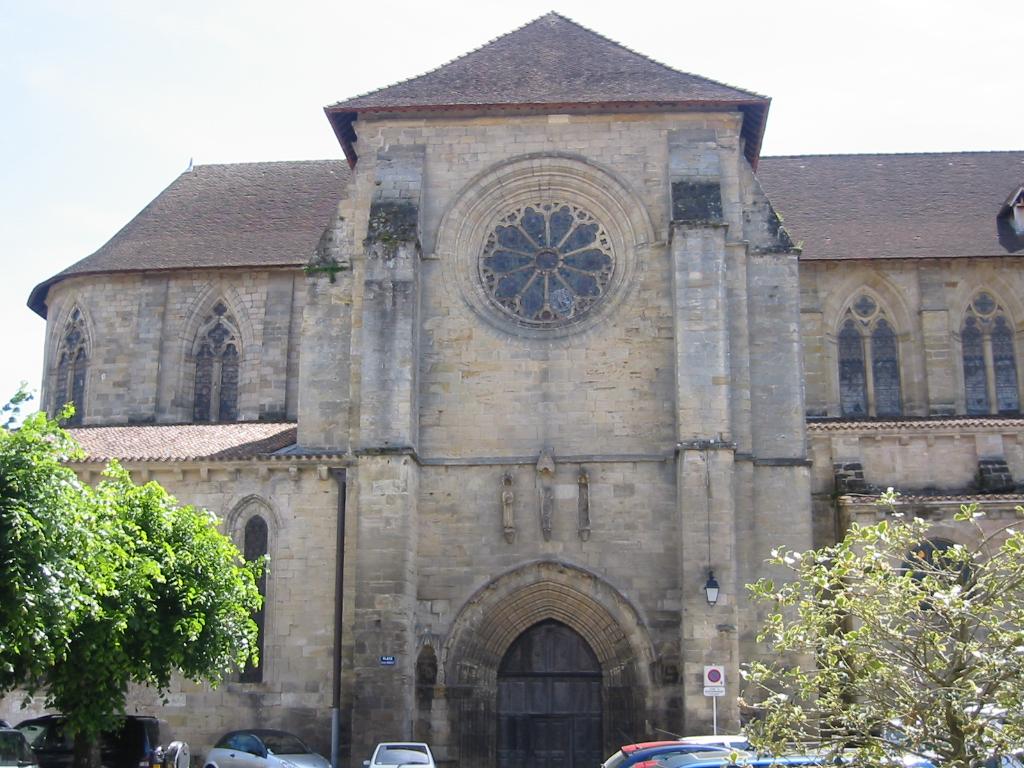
x=138, y=744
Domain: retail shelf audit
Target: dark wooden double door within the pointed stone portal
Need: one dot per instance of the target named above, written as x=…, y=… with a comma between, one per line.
x=549, y=701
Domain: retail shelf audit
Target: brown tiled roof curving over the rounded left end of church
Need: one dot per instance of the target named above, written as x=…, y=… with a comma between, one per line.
x=252, y=215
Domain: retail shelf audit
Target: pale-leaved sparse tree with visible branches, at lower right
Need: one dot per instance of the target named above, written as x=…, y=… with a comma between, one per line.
x=916, y=650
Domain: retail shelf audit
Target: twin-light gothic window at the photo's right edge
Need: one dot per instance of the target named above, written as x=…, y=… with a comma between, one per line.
x=988, y=347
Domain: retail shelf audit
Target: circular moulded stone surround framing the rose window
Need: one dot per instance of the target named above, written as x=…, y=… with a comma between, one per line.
x=538, y=180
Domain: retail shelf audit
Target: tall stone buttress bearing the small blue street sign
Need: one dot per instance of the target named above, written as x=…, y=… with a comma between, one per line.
x=388, y=474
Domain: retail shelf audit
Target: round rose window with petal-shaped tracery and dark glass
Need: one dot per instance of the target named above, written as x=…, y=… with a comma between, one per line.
x=547, y=265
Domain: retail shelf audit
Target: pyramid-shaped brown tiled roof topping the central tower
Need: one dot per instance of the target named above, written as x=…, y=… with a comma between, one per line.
x=552, y=63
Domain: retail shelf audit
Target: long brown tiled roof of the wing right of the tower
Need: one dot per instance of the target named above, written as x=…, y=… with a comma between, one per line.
x=897, y=206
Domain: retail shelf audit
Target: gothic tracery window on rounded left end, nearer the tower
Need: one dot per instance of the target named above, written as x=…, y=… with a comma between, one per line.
x=217, y=394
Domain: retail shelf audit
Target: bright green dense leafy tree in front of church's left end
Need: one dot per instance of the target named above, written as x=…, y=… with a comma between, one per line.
x=116, y=584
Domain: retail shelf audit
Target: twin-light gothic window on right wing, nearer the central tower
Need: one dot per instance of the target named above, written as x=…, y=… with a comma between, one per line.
x=869, y=363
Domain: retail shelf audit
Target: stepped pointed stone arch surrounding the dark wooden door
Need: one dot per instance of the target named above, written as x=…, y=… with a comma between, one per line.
x=500, y=613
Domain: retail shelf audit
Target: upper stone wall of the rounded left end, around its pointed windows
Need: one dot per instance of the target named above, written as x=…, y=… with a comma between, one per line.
x=142, y=330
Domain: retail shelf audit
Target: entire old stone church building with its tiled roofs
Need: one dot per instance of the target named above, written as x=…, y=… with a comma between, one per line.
x=501, y=392
